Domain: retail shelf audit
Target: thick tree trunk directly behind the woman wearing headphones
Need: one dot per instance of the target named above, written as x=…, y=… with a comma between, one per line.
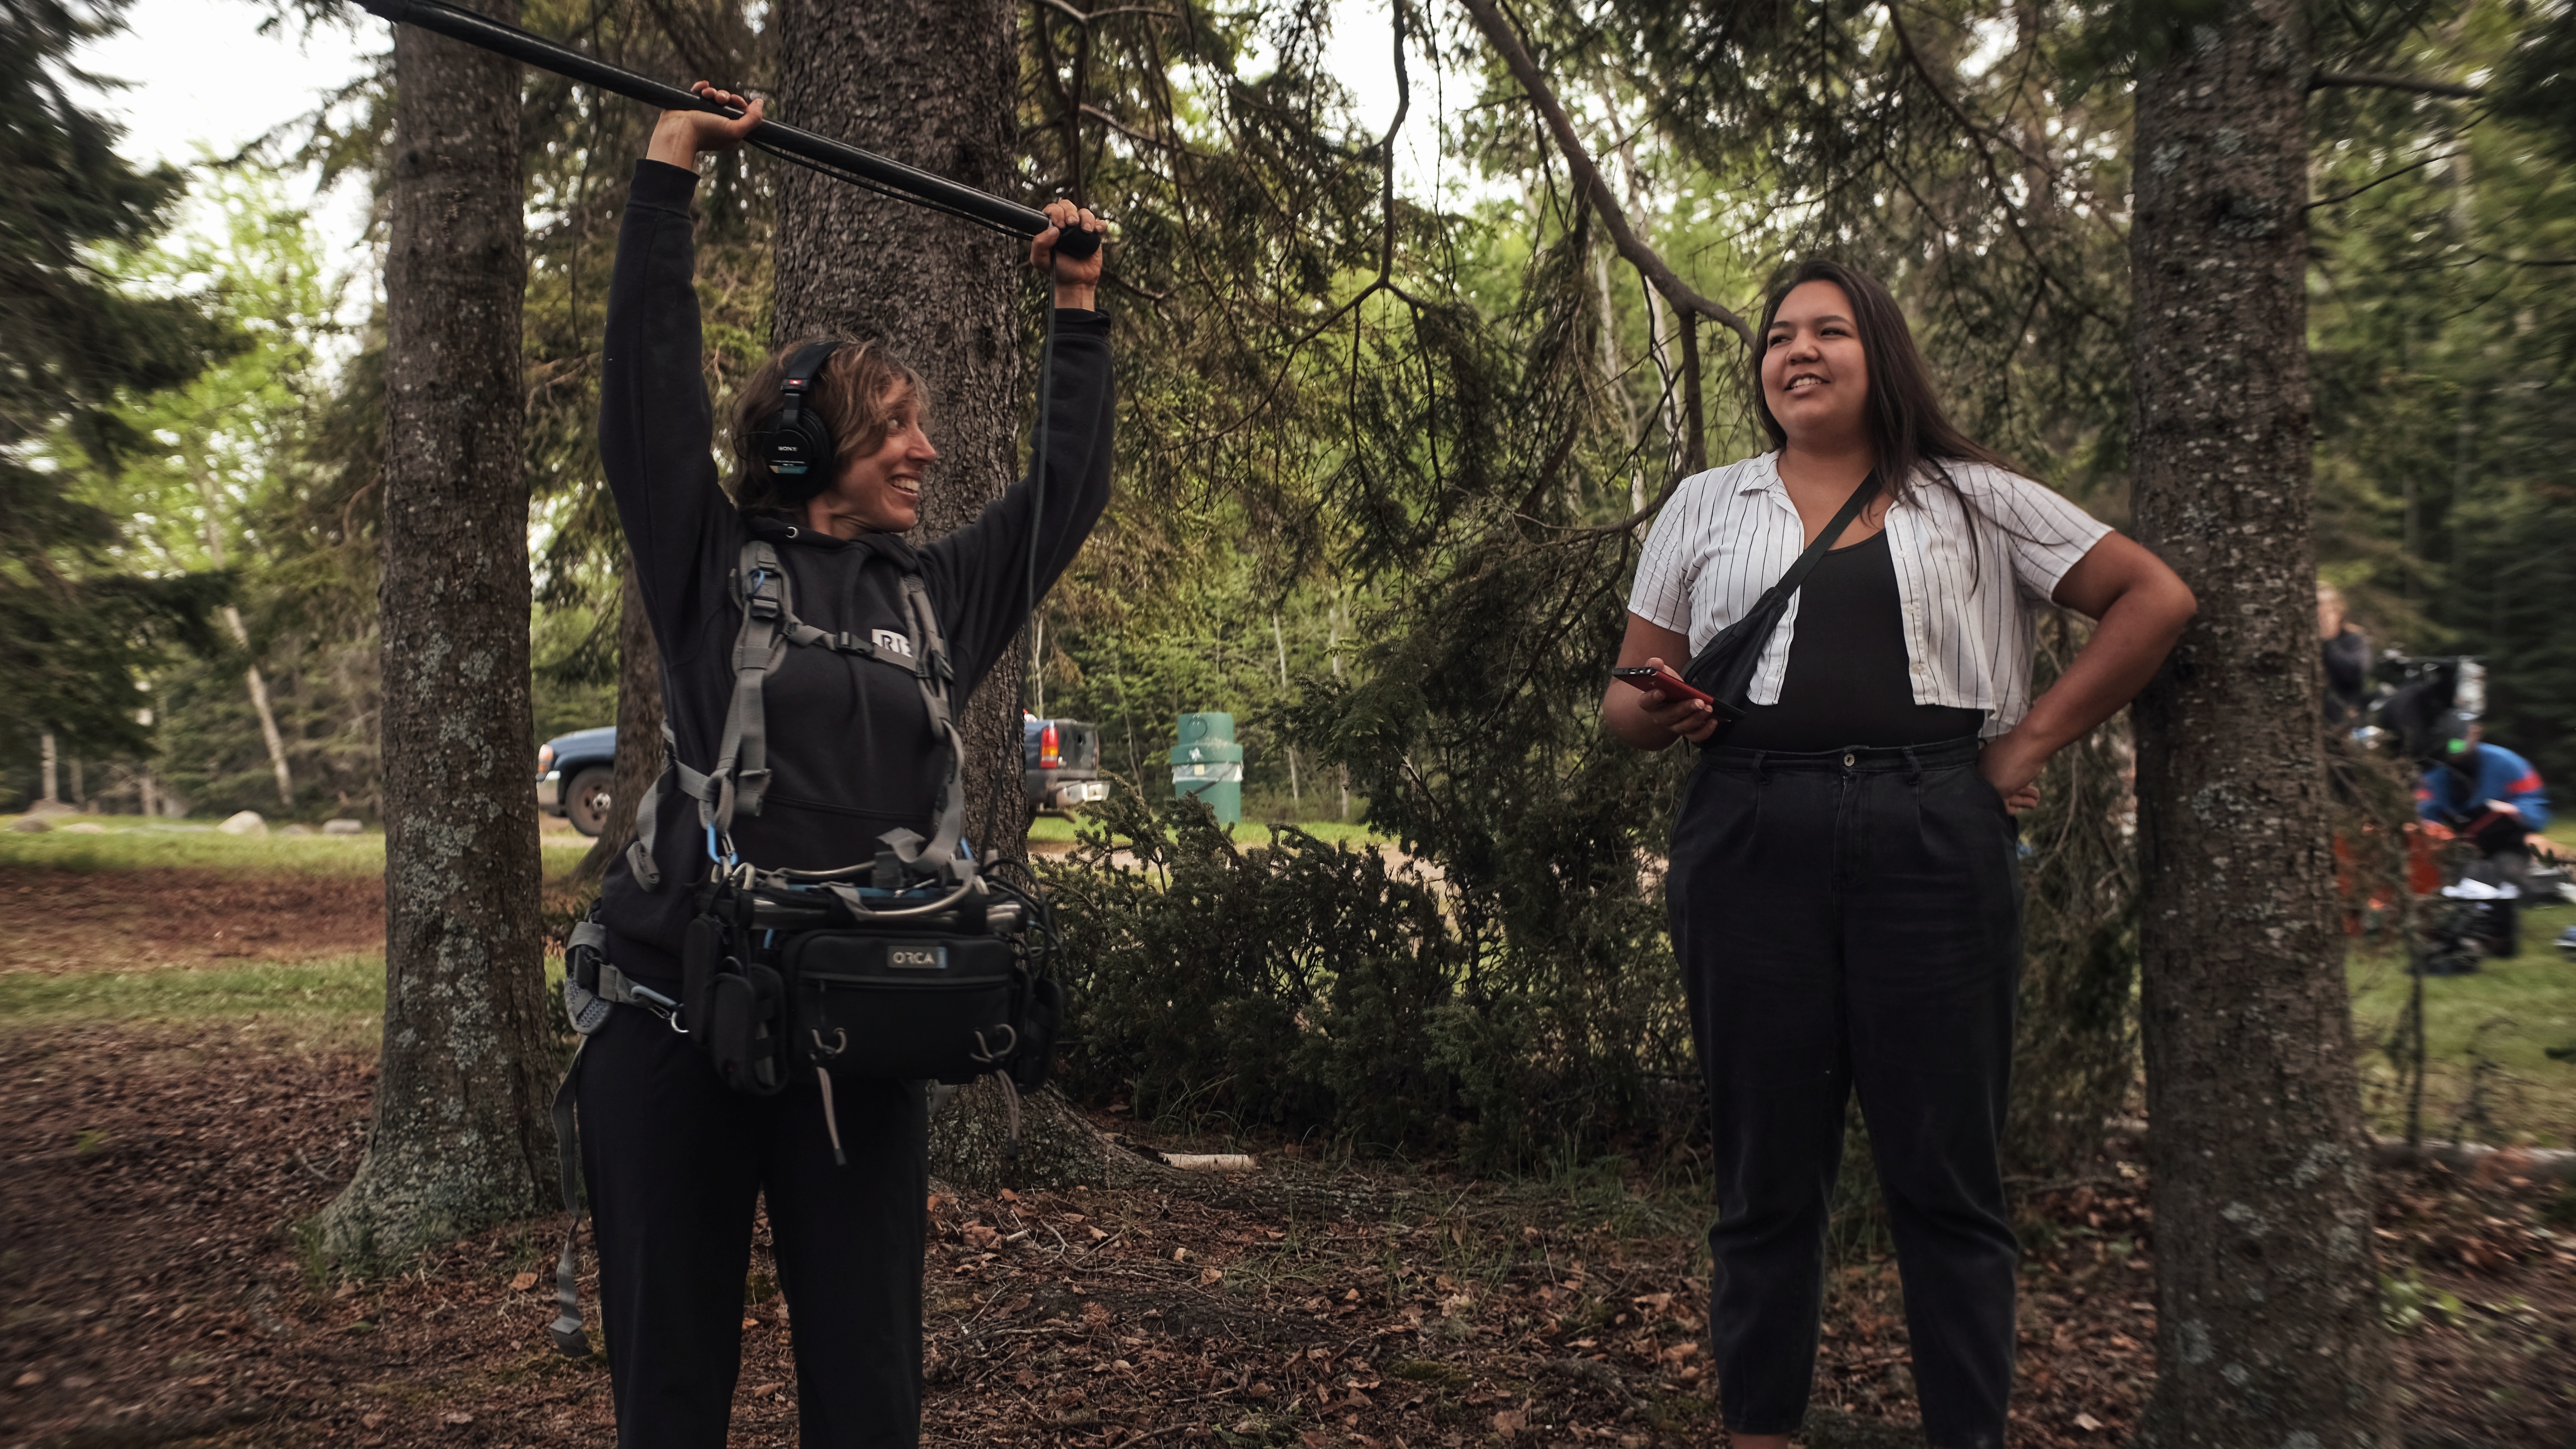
x=931, y=84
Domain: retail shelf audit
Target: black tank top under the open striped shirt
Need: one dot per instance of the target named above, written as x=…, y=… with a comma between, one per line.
x=1848, y=681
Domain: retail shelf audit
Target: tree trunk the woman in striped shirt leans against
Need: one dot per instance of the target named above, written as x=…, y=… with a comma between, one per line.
x=2266, y=1298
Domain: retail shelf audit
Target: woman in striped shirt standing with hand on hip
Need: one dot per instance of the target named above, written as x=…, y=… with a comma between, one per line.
x=1846, y=889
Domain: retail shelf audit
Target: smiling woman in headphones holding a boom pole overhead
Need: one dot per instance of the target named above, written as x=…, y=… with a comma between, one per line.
x=833, y=449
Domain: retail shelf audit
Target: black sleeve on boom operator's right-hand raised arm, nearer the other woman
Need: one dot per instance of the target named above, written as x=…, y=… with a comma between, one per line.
x=980, y=573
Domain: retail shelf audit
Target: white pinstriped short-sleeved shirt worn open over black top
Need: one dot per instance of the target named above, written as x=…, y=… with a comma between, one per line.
x=1969, y=583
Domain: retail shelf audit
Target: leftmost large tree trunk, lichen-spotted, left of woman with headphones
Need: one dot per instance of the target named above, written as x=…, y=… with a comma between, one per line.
x=462, y=1134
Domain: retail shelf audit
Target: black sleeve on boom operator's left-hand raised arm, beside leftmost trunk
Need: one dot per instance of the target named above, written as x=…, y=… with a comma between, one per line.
x=656, y=423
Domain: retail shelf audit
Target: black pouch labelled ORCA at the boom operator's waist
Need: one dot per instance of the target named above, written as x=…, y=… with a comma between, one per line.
x=905, y=1005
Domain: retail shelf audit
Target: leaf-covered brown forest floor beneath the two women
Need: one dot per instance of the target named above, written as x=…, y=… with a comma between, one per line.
x=189, y=1082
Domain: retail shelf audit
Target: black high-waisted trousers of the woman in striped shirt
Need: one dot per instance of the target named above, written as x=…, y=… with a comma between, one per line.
x=1853, y=920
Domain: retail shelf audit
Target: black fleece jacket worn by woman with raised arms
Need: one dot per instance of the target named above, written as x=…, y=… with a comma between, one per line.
x=849, y=737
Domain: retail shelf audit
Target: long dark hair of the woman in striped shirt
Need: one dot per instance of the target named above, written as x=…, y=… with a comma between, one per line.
x=1902, y=416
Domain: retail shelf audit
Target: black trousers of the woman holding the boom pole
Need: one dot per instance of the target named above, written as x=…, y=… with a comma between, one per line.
x=676, y=1162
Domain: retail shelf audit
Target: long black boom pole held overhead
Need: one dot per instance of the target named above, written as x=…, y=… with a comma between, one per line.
x=792, y=143
